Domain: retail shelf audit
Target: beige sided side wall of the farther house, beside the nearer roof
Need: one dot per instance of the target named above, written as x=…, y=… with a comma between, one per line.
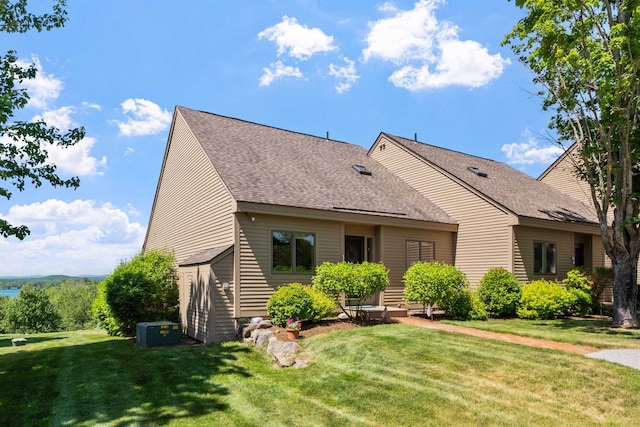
x=484, y=237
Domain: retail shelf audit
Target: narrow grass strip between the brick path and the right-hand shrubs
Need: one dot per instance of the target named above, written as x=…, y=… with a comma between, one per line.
x=590, y=332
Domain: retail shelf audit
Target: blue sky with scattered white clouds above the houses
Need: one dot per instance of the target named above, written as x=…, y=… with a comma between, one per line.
x=354, y=69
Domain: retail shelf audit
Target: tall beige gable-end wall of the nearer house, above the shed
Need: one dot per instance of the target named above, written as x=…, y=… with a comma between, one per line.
x=193, y=209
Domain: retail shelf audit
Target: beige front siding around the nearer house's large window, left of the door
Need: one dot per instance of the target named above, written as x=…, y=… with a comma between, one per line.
x=257, y=282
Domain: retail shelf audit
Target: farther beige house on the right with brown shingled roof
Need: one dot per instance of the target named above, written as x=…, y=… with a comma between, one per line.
x=505, y=218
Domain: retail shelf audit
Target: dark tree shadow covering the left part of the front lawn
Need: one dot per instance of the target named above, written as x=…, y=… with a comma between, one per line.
x=115, y=383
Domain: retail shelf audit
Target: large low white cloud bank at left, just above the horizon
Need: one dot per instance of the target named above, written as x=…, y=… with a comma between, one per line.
x=80, y=237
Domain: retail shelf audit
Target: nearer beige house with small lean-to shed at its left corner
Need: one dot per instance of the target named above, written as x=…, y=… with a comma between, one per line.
x=247, y=208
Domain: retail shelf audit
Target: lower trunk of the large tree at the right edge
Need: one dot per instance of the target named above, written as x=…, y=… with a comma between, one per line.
x=625, y=293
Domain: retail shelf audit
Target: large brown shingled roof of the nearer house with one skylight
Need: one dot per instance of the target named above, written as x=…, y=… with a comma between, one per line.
x=262, y=164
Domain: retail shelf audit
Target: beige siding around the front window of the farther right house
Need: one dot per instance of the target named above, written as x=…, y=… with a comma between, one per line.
x=524, y=237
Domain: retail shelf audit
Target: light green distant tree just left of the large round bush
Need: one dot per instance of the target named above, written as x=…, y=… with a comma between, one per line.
x=73, y=301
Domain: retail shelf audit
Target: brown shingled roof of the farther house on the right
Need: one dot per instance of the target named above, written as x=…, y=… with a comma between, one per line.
x=514, y=191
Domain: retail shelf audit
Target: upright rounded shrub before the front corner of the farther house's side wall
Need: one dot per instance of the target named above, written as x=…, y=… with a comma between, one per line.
x=500, y=291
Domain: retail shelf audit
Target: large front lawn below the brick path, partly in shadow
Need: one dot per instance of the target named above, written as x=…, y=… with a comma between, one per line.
x=392, y=375
